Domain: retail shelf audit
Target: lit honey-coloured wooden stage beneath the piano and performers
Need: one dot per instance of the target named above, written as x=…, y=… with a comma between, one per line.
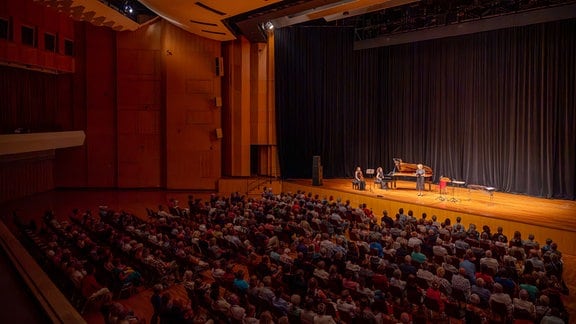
x=542, y=217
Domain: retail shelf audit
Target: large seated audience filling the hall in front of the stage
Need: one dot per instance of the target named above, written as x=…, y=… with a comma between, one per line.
x=298, y=247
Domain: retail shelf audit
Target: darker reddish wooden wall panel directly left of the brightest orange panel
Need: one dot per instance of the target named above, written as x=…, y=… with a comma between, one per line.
x=139, y=108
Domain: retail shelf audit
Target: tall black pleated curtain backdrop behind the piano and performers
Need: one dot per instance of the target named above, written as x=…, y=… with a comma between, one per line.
x=494, y=108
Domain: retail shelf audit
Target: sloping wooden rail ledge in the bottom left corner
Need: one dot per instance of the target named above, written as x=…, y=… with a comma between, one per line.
x=57, y=308
